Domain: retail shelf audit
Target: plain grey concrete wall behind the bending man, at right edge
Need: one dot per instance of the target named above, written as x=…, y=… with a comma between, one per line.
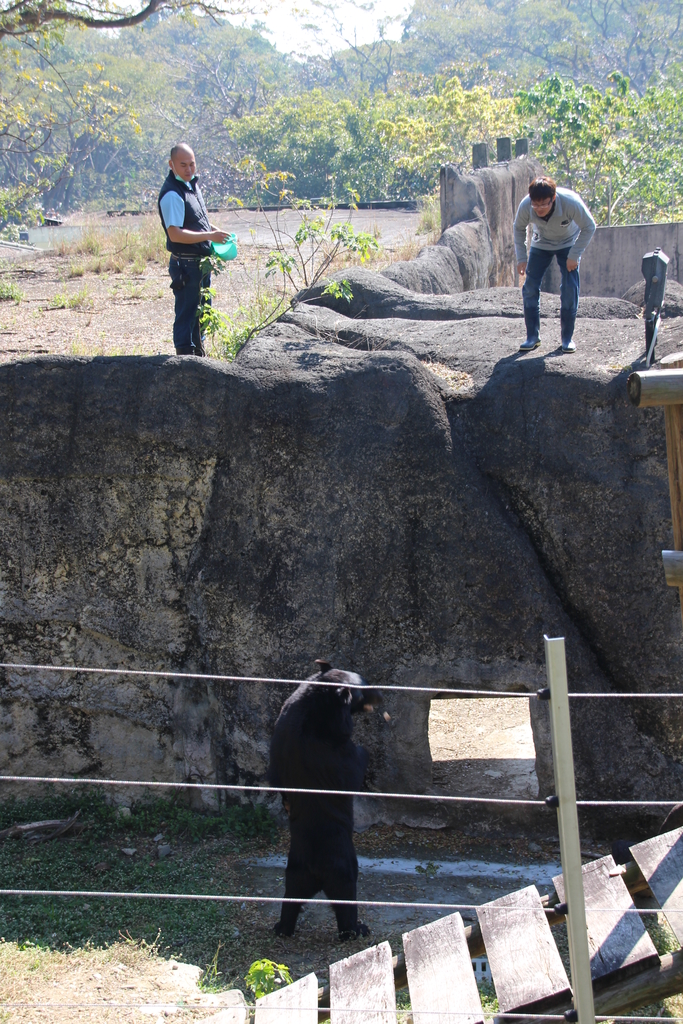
x=612, y=263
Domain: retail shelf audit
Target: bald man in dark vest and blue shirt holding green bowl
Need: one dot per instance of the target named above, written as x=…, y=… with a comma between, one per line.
x=189, y=237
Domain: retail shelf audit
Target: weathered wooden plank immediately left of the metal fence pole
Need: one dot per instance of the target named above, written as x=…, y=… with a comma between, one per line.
x=525, y=963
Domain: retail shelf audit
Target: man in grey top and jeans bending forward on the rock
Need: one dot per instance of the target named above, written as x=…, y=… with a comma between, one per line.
x=563, y=227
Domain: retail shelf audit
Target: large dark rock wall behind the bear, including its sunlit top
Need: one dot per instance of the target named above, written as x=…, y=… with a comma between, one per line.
x=331, y=495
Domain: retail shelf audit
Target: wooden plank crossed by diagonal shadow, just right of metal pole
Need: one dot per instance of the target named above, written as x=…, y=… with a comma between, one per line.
x=618, y=942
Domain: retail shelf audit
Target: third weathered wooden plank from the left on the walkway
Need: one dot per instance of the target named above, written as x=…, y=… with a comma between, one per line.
x=441, y=978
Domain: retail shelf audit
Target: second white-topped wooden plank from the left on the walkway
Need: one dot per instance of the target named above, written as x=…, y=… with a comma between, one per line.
x=364, y=983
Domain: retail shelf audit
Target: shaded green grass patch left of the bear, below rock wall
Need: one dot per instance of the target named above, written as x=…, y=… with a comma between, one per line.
x=204, y=848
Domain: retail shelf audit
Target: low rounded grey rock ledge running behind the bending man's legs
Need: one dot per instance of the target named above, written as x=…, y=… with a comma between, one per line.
x=376, y=297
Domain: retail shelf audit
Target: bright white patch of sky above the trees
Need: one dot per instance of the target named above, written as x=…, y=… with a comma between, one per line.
x=312, y=28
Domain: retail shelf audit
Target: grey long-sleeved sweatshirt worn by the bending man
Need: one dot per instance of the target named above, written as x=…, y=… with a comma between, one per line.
x=571, y=225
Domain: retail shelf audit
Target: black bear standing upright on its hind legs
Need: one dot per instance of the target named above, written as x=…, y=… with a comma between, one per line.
x=312, y=749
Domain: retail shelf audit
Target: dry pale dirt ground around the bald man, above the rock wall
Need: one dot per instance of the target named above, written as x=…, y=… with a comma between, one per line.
x=73, y=304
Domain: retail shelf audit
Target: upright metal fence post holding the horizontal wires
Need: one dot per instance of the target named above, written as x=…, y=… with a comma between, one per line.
x=568, y=821
